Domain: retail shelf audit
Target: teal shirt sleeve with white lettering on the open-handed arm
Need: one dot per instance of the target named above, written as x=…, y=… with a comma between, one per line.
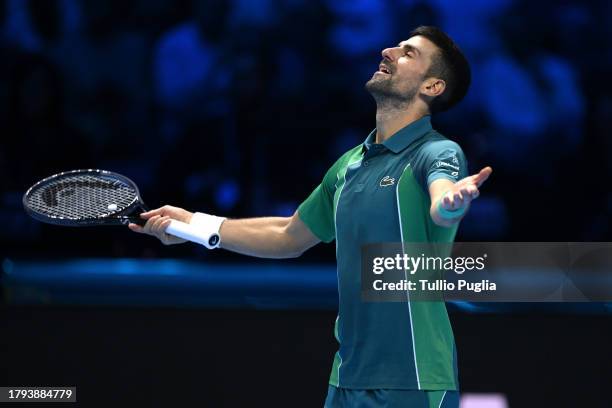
x=443, y=159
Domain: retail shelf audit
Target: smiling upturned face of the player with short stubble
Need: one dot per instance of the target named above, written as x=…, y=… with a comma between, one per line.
x=402, y=70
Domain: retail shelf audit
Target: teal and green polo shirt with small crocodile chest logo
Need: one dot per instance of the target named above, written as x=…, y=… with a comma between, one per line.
x=379, y=193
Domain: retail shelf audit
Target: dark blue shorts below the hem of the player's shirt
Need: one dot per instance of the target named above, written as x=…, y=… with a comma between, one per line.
x=385, y=398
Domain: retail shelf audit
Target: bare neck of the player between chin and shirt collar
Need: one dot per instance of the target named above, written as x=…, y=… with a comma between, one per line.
x=392, y=117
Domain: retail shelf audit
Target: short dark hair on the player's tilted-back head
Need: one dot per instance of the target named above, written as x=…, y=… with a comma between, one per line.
x=448, y=64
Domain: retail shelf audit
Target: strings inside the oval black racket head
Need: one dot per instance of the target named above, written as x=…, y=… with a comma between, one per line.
x=82, y=197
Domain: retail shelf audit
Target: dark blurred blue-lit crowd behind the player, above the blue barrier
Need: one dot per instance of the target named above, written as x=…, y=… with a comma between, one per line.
x=238, y=107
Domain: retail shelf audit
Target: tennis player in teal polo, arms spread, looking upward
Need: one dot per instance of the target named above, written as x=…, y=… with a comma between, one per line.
x=405, y=183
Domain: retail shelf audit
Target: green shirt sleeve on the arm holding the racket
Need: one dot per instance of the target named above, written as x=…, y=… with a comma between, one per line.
x=317, y=211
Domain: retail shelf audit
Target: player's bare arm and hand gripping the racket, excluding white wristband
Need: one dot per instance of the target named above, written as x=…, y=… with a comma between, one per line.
x=266, y=237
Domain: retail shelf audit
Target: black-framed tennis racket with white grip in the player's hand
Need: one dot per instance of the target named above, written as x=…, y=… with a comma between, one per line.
x=91, y=197
